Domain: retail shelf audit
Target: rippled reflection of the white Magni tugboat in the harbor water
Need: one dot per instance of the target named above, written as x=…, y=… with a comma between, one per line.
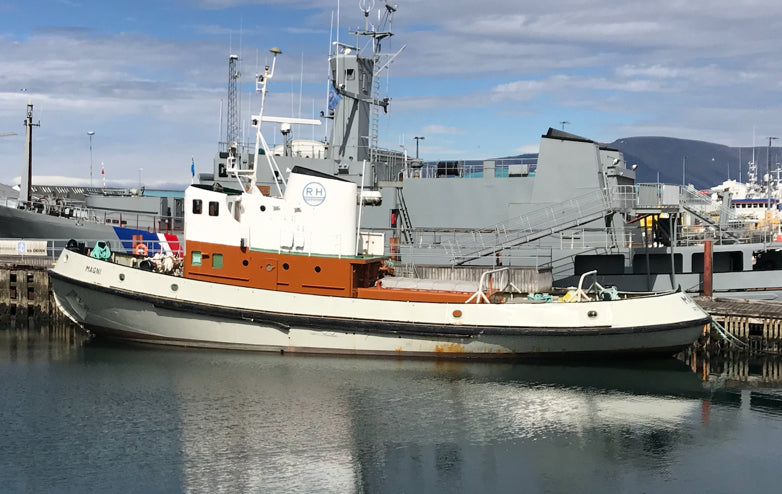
x=253, y=420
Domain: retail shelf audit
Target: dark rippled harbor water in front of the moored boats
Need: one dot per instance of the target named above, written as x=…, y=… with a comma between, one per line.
x=82, y=416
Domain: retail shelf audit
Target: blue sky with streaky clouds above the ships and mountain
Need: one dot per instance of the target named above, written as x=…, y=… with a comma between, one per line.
x=476, y=80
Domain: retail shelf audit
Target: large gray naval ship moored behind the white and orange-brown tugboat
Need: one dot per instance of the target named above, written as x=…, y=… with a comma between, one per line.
x=573, y=209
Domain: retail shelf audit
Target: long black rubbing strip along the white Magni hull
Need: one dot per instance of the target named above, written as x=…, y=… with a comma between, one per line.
x=284, y=322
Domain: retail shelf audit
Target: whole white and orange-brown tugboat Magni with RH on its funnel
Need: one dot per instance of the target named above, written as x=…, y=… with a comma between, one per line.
x=290, y=270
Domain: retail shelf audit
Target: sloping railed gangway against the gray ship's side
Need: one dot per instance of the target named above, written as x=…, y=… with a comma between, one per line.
x=535, y=225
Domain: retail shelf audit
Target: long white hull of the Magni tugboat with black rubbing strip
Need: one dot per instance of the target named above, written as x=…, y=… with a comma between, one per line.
x=122, y=302
